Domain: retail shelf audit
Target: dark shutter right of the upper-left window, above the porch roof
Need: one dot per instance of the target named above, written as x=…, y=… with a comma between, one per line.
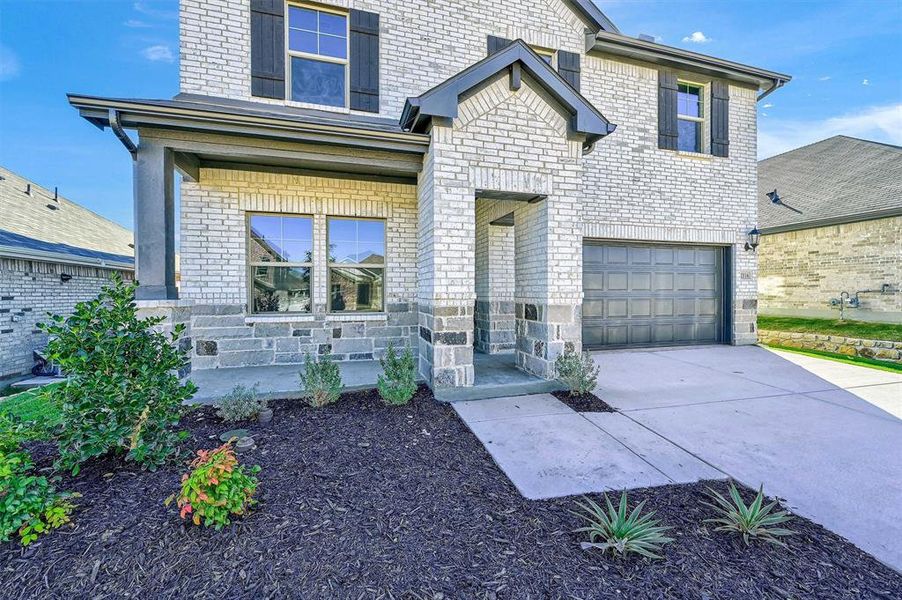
x=364, y=60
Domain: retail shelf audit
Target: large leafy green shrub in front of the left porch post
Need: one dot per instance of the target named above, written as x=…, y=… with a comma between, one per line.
x=123, y=394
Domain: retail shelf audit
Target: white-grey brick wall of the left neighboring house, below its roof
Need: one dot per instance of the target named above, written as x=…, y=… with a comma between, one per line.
x=28, y=291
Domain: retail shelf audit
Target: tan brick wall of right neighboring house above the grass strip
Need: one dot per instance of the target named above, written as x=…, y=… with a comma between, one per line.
x=800, y=271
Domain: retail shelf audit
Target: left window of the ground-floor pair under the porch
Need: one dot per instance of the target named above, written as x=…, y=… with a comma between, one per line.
x=280, y=262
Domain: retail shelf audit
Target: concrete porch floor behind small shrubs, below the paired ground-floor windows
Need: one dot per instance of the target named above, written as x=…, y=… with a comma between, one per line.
x=276, y=381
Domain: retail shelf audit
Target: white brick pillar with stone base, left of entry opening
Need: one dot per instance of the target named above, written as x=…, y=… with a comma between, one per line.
x=446, y=265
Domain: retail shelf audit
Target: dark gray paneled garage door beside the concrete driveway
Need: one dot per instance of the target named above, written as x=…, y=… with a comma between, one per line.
x=651, y=295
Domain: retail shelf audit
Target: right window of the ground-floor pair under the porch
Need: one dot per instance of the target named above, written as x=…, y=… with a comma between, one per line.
x=356, y=265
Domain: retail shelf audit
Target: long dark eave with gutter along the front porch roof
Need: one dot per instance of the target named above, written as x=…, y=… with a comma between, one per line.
x=137, y=114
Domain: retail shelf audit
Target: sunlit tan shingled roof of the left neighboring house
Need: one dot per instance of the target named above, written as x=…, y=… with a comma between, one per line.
x=30, y=228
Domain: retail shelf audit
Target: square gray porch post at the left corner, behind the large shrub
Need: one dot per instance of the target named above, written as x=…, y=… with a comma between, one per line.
x=154, y=222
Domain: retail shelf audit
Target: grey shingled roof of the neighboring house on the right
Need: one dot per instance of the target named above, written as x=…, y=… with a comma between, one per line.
x=837, y=180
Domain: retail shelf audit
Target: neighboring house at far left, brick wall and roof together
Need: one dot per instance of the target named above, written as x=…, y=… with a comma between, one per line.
x=53, y=254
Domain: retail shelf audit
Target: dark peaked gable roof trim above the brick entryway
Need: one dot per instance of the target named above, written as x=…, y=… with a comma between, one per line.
x=442, y=100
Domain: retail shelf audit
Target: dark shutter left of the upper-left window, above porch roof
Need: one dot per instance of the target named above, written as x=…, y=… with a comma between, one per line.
x=268, y=48
